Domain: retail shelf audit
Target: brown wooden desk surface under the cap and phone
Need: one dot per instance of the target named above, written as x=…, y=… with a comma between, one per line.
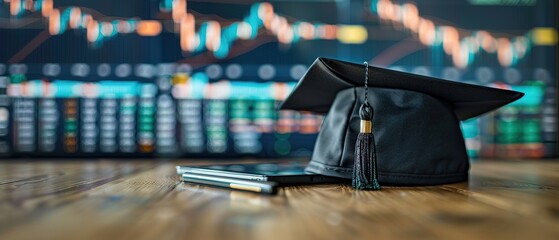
x=145, y=200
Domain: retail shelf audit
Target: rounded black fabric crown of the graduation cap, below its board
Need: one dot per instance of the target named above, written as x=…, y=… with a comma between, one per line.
x=418, y=137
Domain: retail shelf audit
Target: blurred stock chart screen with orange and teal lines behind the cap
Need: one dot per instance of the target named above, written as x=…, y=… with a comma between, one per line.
x=178, y=78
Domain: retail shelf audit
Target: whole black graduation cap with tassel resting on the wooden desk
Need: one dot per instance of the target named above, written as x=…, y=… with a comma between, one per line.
x=389, y=127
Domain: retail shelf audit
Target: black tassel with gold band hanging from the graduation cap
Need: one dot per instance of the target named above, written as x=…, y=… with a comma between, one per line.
x=365, y=167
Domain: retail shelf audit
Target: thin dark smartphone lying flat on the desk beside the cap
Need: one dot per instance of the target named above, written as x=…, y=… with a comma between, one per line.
x=285, y=174
